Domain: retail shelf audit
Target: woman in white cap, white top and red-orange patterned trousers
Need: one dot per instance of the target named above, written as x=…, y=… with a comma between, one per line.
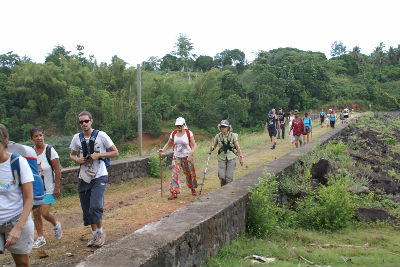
x=184, y=147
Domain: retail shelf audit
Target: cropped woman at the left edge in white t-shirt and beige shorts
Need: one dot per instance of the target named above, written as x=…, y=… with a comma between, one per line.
x=16, y=202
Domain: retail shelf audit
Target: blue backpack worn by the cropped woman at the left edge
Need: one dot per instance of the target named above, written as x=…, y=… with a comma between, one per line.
x=38, y=186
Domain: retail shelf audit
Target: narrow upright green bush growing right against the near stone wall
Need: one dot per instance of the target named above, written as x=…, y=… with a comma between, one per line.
x=263, y=212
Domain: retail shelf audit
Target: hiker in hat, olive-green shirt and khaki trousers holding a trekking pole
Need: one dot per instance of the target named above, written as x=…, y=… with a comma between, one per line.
x=228, y=150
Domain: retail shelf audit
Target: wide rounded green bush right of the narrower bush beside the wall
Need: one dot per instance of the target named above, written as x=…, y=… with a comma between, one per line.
x=330, y=208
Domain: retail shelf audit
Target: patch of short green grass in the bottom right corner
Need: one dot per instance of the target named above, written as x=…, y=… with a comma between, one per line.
x=288, y=244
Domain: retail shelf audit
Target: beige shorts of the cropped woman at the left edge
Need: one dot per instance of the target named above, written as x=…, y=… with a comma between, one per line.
x=25, y=241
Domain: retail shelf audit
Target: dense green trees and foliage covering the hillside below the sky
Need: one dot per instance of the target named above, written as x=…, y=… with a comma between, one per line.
x=203, y=89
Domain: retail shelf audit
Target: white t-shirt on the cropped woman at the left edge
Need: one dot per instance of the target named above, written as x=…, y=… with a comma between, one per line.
x=11, y=199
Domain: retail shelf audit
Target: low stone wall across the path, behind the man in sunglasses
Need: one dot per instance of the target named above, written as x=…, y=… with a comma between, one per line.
x=119, y=170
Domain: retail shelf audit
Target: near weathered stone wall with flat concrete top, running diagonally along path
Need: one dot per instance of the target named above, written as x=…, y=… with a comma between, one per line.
x=198, y=230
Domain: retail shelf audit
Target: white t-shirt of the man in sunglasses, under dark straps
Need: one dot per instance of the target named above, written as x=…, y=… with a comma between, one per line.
x=103, y=141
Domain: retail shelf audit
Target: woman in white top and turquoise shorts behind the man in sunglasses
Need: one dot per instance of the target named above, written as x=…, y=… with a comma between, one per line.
x=50, y=171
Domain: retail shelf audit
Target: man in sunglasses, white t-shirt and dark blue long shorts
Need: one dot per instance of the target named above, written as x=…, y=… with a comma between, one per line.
x=93, y=176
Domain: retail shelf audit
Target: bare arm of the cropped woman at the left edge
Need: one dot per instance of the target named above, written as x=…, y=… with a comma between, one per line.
x=15, y=233
